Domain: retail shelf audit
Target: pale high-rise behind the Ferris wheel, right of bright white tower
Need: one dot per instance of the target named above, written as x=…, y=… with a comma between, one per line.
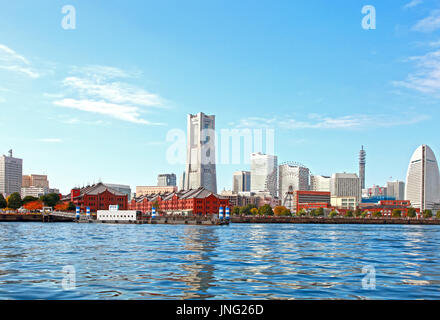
x=293, y=177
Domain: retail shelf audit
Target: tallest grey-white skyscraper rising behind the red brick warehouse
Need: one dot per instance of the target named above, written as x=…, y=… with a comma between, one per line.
x=200, y=165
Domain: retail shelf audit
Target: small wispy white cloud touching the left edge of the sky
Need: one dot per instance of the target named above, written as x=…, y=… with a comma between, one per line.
x=12, y=61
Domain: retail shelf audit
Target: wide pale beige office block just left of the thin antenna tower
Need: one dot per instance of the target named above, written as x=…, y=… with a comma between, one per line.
x=346, y=185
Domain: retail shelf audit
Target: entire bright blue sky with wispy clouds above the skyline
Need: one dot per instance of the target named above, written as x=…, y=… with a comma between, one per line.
x=106, y=98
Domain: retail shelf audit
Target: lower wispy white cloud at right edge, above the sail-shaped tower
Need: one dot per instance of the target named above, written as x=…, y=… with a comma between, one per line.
x=426, y=77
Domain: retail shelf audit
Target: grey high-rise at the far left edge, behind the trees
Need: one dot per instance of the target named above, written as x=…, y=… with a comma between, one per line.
x=11, y=171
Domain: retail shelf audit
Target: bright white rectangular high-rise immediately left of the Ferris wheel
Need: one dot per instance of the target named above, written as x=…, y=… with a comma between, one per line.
x=264, y=173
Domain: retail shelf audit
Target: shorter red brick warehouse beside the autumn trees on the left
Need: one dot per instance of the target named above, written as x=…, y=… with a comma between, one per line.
x=97, y=197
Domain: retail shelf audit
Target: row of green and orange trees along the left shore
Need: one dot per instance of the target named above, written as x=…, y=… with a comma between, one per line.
x=14, y=201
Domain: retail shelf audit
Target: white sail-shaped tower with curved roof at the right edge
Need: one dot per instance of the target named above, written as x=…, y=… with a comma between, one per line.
x=423, y=179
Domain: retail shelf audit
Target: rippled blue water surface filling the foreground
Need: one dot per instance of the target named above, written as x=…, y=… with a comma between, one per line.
x=240, y=261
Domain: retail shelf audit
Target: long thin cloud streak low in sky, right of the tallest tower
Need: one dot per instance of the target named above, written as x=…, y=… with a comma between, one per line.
x=316, y=121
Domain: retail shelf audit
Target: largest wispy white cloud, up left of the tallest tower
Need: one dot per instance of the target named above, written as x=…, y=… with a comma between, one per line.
x=96, y=90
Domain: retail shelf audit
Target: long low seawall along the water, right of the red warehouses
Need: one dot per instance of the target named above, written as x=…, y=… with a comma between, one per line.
x=339, y=220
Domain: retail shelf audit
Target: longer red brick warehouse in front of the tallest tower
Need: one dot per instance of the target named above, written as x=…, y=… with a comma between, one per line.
x=191, y=202
